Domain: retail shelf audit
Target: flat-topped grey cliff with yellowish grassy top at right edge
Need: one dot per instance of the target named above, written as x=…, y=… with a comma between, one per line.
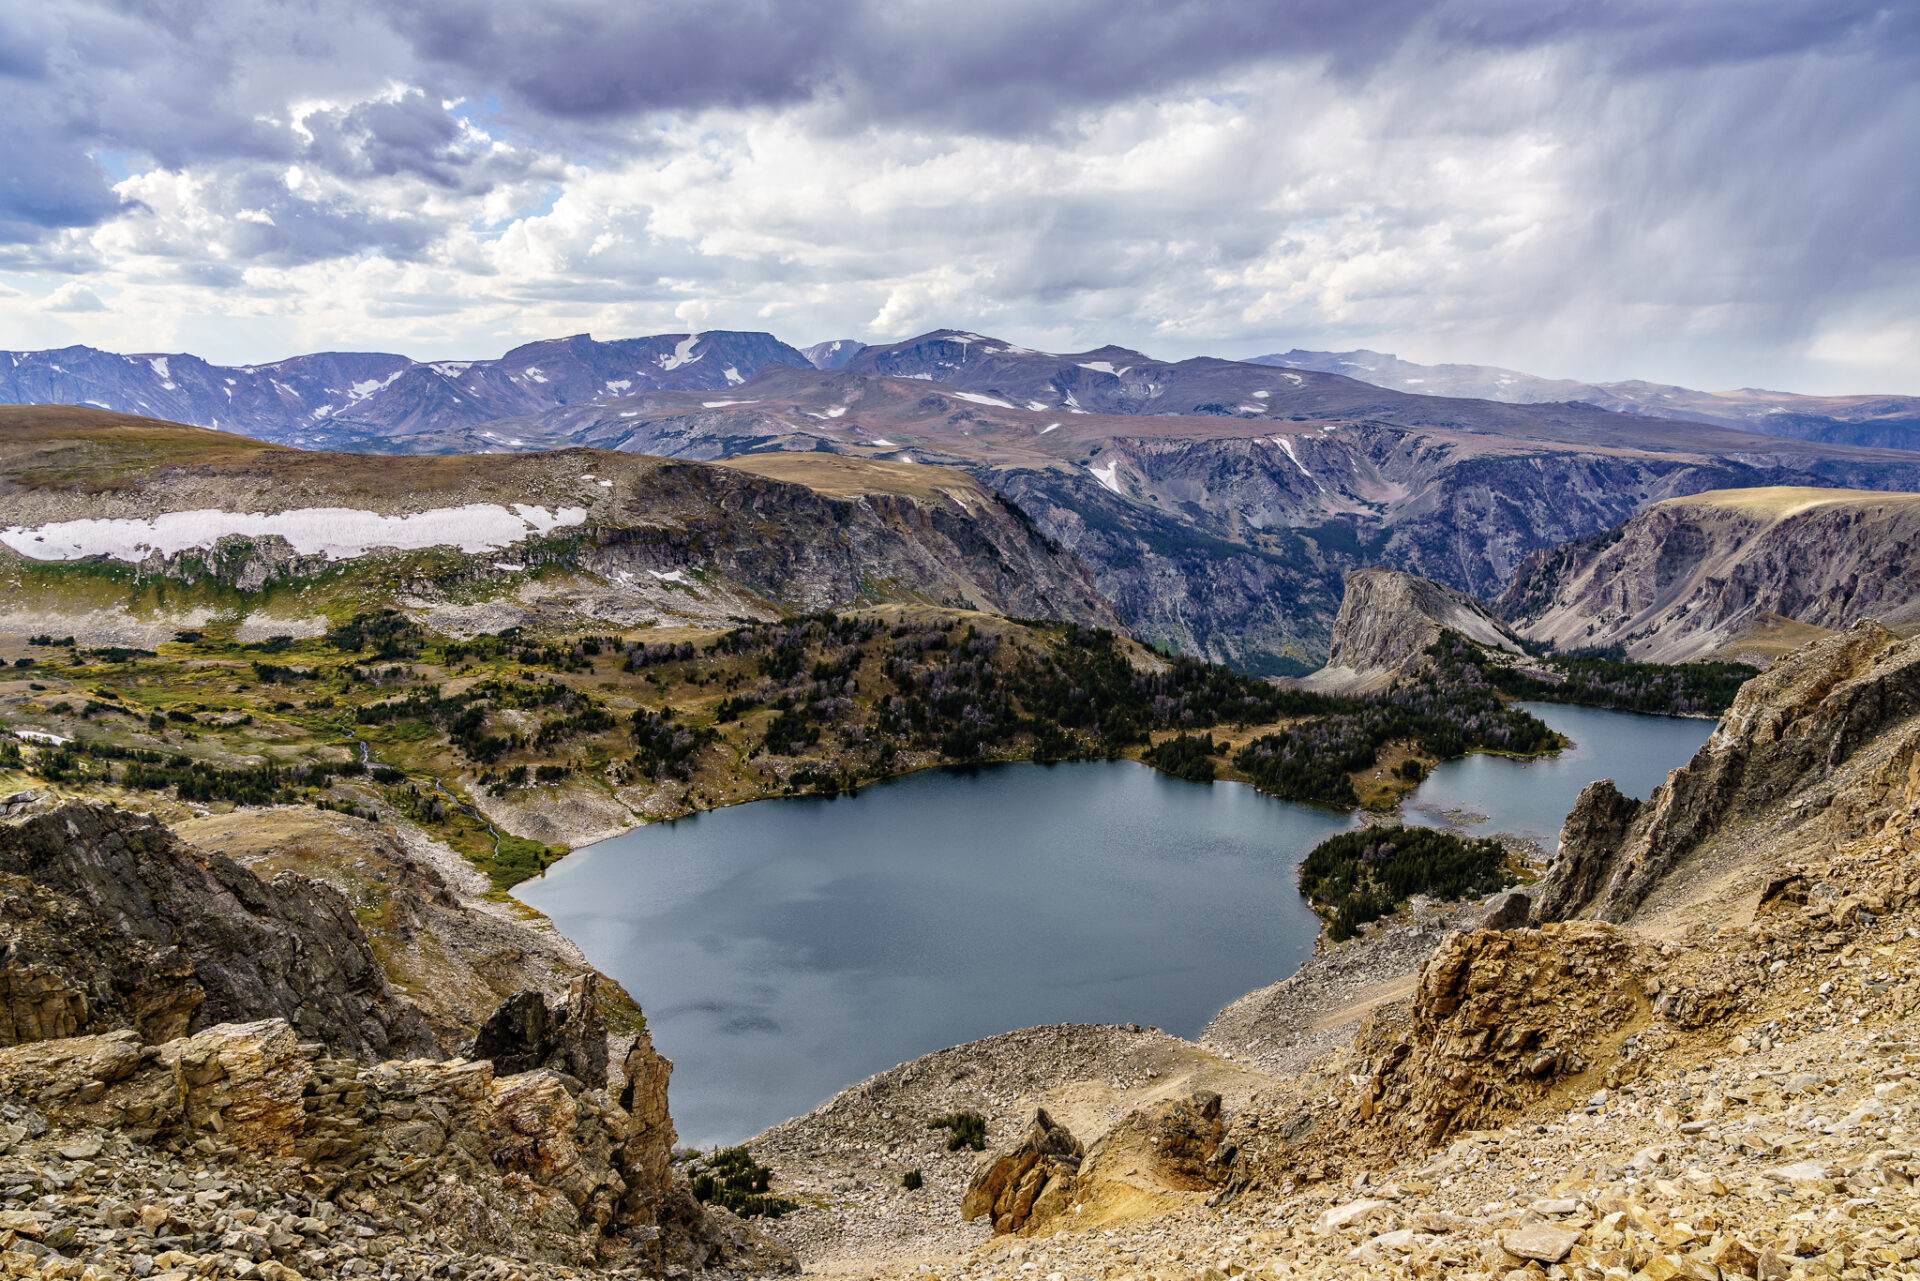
x=1692, y=575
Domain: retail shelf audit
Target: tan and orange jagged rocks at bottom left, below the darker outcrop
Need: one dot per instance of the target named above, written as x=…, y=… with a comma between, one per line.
x=539, y=1163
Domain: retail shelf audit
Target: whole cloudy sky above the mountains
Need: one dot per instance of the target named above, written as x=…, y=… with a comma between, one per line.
x=1714, y=193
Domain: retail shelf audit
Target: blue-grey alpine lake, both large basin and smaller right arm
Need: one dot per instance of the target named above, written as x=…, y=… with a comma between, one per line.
x=790, y=948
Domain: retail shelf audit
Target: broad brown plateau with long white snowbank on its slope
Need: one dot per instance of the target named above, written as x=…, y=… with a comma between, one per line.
x=604, y=537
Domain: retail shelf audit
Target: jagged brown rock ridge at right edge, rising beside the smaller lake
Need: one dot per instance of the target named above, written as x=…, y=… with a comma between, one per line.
x=1836, y=712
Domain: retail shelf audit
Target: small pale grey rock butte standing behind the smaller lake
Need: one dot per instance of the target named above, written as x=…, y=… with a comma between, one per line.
x=1389, y=619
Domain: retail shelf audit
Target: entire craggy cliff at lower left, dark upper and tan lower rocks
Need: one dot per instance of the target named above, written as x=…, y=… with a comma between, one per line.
x=168, y=998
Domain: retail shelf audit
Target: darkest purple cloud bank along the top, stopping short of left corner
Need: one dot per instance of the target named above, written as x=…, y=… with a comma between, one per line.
x=1011, y=66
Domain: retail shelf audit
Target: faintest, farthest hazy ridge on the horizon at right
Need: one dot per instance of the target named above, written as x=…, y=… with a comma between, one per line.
x=1877, y=422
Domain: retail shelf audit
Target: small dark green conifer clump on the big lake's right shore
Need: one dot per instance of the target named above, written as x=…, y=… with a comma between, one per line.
x=1360, y=877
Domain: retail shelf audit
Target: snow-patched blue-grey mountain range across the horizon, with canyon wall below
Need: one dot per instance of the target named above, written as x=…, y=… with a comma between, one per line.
x=1218, y=504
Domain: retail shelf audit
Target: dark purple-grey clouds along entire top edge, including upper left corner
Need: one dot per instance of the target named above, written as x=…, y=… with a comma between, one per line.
x=193, y=84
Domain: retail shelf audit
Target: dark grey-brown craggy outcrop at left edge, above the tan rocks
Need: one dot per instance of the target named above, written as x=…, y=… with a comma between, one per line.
x=108, y=923
